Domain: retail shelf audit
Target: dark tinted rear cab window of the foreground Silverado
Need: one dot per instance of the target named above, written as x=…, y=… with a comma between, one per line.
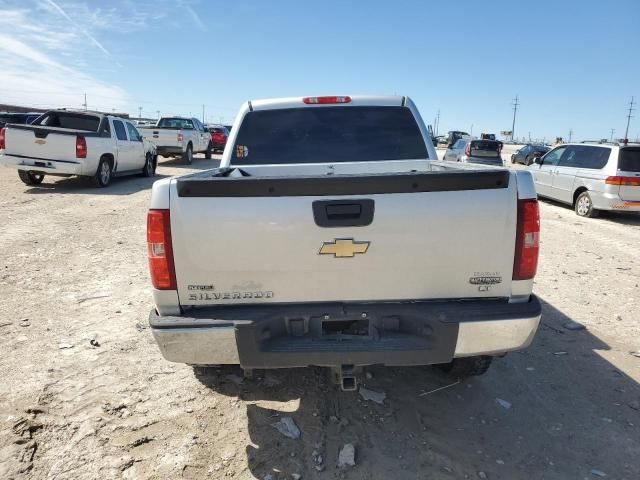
x=328, y=135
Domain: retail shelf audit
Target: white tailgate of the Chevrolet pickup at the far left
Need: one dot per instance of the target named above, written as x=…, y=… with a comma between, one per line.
x=42, y=143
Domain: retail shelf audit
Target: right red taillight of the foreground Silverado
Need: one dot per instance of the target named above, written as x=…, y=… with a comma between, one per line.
x=525, y=261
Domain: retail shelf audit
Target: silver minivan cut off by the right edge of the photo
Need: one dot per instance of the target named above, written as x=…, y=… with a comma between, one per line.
x=590, y=177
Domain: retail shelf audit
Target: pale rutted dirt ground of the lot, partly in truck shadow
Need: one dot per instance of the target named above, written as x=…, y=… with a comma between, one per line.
x=85, y=393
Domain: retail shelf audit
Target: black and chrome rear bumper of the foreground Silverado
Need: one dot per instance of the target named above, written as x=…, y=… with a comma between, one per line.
x=399, y=333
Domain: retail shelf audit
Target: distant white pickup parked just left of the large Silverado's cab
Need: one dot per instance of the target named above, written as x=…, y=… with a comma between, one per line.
x=179, y=136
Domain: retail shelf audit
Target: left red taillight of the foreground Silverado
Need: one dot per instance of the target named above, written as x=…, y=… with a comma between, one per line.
x=160, y=251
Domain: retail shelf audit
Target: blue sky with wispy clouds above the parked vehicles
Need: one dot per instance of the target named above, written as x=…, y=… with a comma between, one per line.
x=574, y=65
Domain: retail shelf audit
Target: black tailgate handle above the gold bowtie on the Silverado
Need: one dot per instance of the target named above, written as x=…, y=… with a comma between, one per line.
x=343, y=213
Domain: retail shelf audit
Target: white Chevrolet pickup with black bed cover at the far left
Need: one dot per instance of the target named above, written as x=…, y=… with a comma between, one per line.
x=64, y=143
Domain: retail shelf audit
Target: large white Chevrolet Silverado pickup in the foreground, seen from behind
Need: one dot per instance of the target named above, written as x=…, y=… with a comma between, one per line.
x=331, y=236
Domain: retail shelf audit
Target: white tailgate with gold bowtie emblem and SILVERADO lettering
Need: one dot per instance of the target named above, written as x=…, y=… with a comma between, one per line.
x=451, y=240
